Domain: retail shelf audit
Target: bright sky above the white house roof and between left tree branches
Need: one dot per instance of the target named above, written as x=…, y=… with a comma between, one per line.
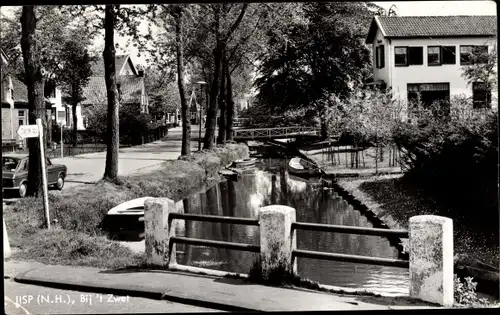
x=404, y=8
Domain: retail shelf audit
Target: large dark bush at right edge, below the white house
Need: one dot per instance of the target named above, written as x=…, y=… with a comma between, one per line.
x=454, y=156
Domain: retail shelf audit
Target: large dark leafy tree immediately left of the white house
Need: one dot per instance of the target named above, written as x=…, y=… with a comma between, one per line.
x=319, y=52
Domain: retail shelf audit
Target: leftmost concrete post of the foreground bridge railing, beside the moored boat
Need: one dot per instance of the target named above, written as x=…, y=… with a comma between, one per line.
x=158, y=231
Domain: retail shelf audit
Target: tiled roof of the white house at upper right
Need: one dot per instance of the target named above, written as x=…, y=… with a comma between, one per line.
x=433, y=26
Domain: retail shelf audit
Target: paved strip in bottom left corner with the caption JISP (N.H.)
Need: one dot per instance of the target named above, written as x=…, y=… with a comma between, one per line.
x=34, y=299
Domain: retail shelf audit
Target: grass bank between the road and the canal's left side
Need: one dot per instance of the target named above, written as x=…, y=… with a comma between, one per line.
x=77, y=238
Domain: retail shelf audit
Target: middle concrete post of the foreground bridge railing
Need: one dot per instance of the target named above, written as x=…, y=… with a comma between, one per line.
x=277, y=240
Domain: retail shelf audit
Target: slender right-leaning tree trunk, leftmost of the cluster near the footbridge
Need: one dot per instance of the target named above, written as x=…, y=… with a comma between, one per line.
x=208, y=141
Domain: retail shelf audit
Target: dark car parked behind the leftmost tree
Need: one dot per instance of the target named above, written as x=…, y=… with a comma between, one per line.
x=15, y=174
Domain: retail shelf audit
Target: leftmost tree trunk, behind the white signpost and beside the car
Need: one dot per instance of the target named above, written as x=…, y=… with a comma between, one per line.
x=35, y=84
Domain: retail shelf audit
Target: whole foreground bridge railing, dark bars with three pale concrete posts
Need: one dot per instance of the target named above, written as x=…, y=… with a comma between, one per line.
x=277, y=225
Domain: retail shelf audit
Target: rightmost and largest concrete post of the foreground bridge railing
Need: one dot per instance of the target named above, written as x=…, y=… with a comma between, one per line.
x=431, y=259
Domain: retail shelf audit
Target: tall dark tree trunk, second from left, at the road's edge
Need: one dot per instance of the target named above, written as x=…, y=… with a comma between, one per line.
x=113, y=134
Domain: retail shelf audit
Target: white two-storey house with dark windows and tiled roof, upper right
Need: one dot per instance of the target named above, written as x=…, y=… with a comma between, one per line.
x=426, y=54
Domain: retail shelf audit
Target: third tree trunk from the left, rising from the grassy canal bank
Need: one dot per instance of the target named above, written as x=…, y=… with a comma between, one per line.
x=186, y=124
